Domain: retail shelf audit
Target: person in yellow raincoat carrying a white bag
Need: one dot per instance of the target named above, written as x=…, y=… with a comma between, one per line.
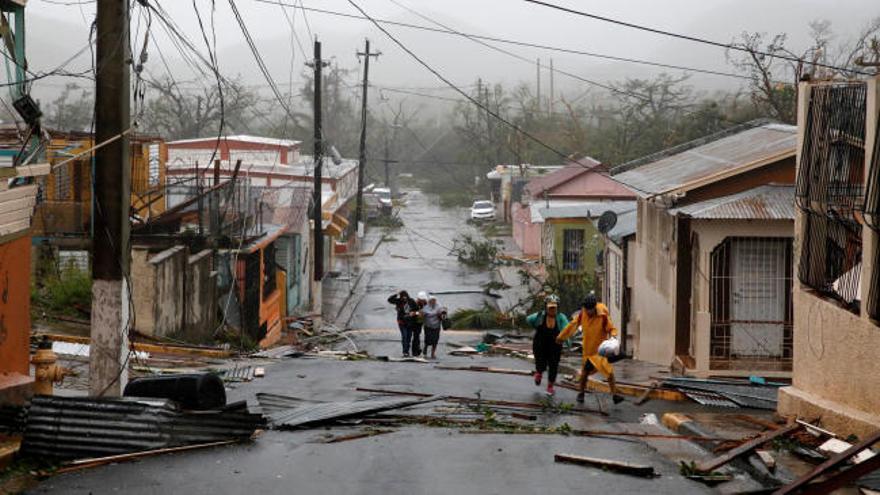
x=596, y=327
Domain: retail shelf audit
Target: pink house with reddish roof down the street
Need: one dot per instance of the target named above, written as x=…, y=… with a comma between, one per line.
x=583, y=183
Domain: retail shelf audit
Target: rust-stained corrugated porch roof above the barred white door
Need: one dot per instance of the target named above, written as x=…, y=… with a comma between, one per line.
x=767, y=202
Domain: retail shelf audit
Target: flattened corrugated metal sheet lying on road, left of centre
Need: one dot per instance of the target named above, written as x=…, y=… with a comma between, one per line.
x=321, y=413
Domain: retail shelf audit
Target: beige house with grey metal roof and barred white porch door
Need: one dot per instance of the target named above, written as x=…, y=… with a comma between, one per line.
x=713, y=251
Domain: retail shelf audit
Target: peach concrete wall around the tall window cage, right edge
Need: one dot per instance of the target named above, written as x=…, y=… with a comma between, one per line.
x=837, y=352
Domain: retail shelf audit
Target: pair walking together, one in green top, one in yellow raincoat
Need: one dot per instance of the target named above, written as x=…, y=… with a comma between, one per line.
x=600, y=344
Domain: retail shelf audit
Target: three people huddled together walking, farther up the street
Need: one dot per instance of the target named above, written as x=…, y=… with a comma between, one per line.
x=414, y=314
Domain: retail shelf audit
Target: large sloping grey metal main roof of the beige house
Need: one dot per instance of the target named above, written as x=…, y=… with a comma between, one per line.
x=714, y=157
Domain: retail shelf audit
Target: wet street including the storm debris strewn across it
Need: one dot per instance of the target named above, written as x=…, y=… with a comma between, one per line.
x=464, y=429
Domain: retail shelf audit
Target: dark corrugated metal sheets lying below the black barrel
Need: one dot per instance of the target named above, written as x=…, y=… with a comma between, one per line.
x=82, y=427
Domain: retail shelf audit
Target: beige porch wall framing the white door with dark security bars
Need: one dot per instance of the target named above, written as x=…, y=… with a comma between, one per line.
x=710, y=234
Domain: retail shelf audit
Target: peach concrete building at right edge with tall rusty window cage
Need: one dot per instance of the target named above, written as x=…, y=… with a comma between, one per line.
x=836, y=374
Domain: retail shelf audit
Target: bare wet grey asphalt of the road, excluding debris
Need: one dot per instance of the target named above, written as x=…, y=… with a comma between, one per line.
x=413, y=459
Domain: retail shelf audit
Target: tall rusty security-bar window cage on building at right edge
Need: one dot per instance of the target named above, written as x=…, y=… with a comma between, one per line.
x=831, y=190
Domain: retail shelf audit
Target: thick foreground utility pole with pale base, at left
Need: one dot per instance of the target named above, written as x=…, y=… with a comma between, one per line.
x=110, y=317
